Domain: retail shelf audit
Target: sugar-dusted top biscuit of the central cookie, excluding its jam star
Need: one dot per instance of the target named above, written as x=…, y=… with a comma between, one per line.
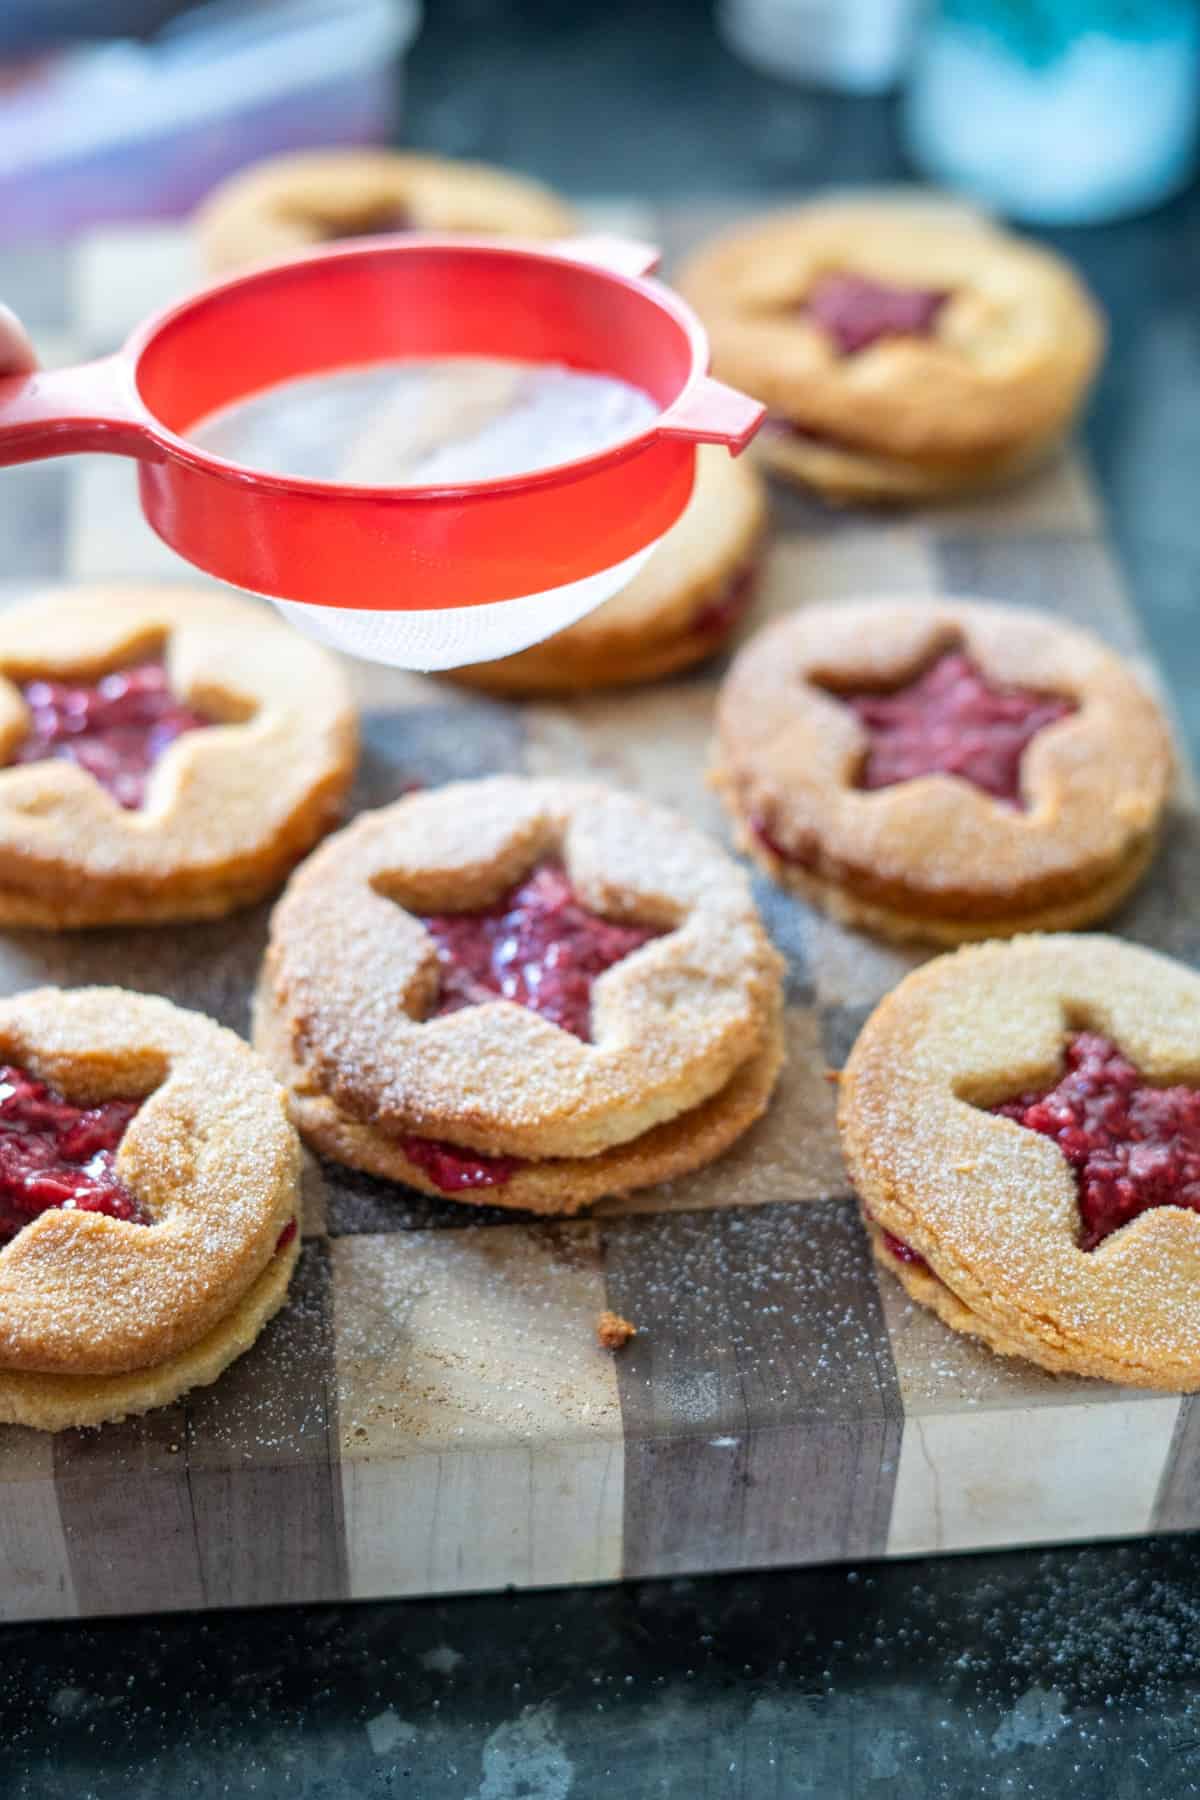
x=672, y=1023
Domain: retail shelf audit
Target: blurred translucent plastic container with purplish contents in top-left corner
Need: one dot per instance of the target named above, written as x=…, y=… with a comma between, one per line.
x=143, y=130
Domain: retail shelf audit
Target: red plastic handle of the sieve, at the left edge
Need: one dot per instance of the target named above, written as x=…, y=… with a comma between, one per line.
x=62, y=411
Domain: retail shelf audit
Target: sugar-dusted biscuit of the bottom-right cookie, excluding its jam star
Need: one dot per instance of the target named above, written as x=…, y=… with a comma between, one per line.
x=992, y=1207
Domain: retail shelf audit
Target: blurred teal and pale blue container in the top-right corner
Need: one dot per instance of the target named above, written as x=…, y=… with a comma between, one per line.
x=1066, y=112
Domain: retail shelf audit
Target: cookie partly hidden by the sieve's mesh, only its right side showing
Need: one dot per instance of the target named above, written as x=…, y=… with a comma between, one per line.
x=681, y=609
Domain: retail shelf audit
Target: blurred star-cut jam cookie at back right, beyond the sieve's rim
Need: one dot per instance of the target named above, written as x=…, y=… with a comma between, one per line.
x=904, y=354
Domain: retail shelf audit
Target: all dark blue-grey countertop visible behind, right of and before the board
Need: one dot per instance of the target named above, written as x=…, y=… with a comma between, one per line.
x=1068, y=1671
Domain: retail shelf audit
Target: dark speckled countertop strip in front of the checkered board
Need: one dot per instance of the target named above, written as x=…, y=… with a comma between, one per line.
x=1061, y=1673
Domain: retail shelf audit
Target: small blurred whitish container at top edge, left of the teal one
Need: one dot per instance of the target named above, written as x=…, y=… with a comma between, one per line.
x=855, y=46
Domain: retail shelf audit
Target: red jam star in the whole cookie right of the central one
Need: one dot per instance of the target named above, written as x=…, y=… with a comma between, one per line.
x=953, y=721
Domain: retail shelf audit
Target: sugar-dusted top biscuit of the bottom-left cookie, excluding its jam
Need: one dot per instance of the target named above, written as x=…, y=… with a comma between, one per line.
x=210, y=1156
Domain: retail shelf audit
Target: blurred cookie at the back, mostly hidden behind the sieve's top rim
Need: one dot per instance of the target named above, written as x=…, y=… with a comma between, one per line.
x=310, y=197
